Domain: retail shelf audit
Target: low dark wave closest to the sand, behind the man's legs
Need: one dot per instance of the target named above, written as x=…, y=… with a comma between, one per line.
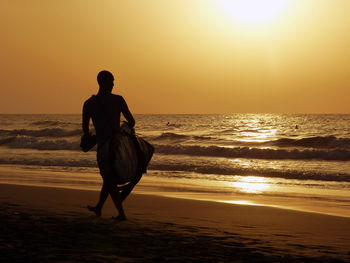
x=223, y=173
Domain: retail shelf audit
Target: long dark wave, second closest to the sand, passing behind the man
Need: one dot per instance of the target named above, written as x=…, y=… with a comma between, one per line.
x=26, y=142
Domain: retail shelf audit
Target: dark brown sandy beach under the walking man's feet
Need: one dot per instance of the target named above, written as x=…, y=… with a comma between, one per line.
x=42, y=224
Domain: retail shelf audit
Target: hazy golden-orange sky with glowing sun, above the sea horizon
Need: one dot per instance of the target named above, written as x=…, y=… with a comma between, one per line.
x=177, y=56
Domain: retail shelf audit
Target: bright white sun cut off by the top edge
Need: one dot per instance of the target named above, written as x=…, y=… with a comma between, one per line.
x=254, y=11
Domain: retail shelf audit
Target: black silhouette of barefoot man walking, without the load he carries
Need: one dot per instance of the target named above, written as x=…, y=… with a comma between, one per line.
x=104, y=109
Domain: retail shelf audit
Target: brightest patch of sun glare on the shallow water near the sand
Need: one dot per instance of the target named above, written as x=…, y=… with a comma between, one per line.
x=251, y=184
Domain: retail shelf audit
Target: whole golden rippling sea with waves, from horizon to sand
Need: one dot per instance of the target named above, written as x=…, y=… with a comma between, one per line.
x=290, y=161
